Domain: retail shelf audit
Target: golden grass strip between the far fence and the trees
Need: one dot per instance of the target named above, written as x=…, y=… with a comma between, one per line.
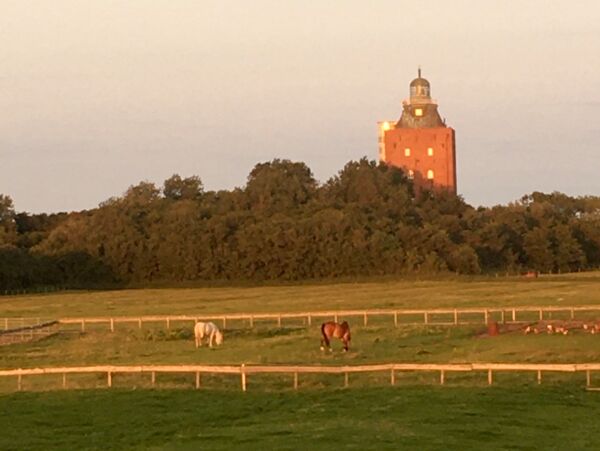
x=570, y=289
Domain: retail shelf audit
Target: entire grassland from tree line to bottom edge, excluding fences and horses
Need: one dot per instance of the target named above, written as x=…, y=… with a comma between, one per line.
x=515, y=413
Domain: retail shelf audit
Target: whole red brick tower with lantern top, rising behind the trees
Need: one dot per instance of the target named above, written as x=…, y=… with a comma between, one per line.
x=420, y=142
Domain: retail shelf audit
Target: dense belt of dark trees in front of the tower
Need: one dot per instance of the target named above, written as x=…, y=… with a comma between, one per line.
x=283, y=225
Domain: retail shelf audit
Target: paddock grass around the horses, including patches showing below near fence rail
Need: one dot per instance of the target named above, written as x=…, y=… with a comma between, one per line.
x=377, y=343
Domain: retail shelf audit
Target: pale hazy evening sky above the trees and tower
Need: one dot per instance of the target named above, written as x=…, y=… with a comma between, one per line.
x=99, y=95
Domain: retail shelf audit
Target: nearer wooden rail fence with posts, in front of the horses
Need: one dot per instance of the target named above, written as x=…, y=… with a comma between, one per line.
x=244, y=371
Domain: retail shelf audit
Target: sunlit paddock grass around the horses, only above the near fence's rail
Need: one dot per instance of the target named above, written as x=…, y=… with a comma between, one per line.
x=263, y=345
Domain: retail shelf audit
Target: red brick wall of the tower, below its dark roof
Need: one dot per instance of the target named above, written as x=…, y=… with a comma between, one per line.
x=419, y=140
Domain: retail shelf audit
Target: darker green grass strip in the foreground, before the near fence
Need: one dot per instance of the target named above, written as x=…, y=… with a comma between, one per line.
x=538, y=418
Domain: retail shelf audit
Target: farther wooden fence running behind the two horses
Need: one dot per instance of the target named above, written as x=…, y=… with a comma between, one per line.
x=457, y=316
